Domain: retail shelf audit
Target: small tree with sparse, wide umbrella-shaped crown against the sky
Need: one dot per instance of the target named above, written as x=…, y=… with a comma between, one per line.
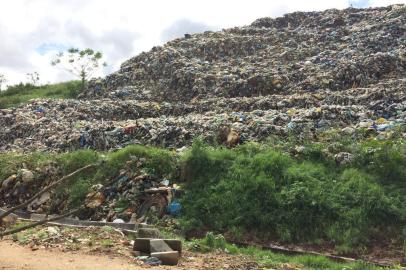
x=81, y=63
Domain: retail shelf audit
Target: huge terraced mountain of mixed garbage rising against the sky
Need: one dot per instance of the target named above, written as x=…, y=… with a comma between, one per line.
x=296, y=75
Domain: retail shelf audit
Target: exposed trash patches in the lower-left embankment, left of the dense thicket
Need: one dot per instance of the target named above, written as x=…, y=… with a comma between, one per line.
x=134, y=195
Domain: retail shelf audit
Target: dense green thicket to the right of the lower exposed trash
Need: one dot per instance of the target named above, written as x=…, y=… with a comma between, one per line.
x=258, y=189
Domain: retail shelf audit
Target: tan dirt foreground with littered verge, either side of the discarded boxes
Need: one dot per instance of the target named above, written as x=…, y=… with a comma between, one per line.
x=54, y=248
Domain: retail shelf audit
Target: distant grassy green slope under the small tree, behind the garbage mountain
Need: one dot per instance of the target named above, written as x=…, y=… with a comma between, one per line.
x=22, y=93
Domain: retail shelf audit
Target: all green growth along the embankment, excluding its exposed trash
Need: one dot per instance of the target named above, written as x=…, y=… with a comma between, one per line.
x=259, y=189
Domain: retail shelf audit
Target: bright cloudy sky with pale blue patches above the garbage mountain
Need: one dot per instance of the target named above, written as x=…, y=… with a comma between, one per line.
x=33, y=31
